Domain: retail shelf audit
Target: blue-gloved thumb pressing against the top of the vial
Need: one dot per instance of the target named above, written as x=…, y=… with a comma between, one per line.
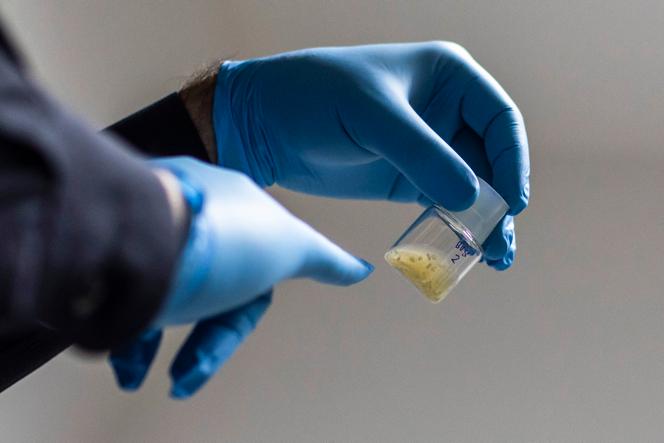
x=413, y=148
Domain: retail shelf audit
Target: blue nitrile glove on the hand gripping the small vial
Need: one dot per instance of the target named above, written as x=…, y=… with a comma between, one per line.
x=401, y=122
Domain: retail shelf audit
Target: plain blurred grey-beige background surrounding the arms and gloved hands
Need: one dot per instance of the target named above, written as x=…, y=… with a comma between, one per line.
x=566, y=346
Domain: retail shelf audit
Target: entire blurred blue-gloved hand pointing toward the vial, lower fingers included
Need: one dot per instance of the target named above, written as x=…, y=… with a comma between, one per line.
x=241, y=243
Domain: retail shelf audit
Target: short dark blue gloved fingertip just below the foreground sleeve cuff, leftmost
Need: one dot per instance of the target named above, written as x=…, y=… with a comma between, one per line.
x=131, y=362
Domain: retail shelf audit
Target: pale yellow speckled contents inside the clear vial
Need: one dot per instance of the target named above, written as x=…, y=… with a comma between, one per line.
x=426, y=269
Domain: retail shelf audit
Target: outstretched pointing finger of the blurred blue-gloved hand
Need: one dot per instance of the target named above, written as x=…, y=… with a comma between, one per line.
x=326, y=262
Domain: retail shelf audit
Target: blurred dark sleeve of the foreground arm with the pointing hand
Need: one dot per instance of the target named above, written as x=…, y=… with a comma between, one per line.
x=88, y=244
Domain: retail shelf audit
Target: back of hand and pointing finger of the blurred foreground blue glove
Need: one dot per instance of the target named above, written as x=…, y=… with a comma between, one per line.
x=242, y=242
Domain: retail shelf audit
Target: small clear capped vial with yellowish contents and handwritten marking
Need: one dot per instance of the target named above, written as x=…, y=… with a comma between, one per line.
x=441, y=246
